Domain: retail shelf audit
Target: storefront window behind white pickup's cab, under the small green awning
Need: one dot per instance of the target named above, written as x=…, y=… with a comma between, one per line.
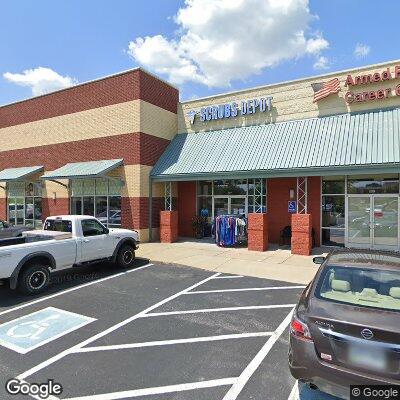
x=98, y=197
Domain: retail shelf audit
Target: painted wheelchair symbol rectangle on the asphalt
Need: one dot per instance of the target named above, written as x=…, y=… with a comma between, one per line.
x=36, y=329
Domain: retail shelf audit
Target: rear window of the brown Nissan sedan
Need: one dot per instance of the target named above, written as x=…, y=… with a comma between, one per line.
x=363, y=287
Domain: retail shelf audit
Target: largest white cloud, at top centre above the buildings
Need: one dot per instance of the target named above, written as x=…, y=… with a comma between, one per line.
x=222, y=40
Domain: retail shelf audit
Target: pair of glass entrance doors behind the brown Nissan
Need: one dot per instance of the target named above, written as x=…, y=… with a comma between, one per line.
x=373, y=222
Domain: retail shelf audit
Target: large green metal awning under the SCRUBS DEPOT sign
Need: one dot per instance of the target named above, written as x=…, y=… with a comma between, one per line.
x=340, y=144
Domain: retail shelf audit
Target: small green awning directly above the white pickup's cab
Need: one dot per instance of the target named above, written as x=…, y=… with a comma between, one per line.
x=89, y=169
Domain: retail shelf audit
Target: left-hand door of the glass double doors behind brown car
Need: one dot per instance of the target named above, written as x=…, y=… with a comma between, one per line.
x=359, y=222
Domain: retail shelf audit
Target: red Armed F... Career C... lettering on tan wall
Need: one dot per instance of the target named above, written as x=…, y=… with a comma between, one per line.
x=368, y=95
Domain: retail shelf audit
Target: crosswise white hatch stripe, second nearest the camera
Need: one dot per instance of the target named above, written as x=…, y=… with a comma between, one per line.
x=174, y=341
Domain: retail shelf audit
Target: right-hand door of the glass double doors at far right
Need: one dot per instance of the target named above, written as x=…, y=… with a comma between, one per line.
x=385, y=222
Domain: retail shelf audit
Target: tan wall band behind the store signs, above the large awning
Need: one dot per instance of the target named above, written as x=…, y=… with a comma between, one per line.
x=291, y=101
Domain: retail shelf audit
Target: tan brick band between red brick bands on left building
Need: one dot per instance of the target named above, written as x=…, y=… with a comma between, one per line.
x=105, y=121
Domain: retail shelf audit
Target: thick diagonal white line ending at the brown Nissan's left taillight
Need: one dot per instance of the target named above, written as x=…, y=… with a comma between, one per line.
x=247, y=373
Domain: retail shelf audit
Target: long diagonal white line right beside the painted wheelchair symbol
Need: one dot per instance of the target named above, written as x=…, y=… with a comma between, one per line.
x=66, y=352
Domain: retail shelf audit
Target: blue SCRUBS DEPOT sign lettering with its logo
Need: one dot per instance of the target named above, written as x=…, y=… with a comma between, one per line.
x=231, y=110
